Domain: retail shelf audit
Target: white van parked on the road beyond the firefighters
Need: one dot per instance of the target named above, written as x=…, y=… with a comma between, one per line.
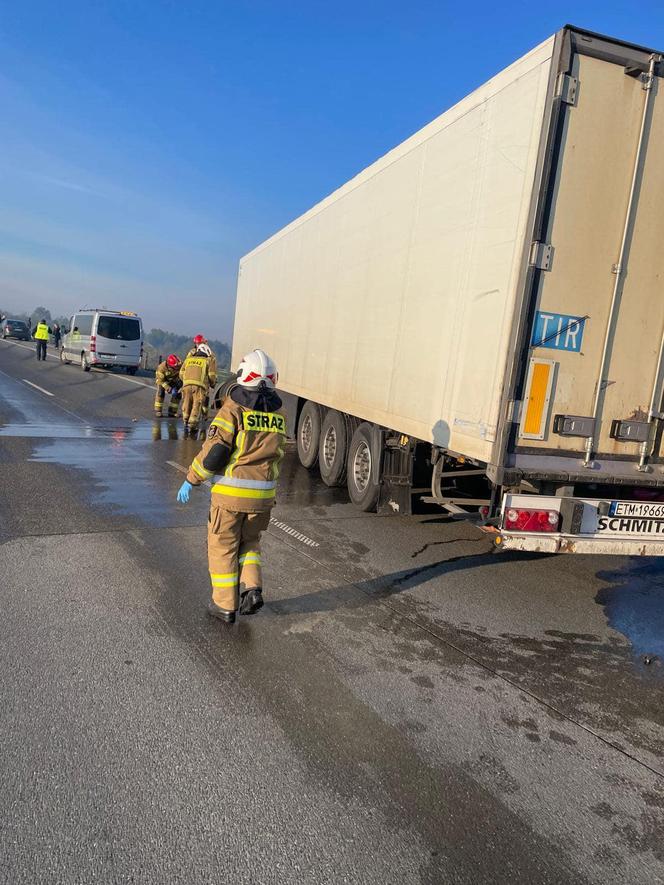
x=104, y=338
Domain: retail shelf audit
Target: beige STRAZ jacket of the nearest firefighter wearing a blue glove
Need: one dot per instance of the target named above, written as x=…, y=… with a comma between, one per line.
x=248, y=480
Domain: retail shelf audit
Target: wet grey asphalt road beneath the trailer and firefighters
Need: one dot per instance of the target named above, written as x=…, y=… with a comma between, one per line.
x=408, y=707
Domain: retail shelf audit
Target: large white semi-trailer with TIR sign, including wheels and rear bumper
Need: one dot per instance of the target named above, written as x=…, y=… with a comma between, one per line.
x=487, y=301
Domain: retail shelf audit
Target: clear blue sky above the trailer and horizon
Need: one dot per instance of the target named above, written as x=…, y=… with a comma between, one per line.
x=146, y=146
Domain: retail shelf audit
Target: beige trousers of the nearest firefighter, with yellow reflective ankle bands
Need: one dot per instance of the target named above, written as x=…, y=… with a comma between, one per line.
x=234, y=553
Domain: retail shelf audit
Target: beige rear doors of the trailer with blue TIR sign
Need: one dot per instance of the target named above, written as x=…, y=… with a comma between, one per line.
x=596, y=324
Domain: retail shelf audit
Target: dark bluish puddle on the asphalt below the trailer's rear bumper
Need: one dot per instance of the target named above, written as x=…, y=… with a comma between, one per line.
x=634, y=606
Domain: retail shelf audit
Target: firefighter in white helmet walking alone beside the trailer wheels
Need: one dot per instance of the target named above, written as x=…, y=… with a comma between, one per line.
x=240, y=458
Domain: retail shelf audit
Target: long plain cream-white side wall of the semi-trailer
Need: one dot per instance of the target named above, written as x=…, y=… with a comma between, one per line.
x=393, y=299
